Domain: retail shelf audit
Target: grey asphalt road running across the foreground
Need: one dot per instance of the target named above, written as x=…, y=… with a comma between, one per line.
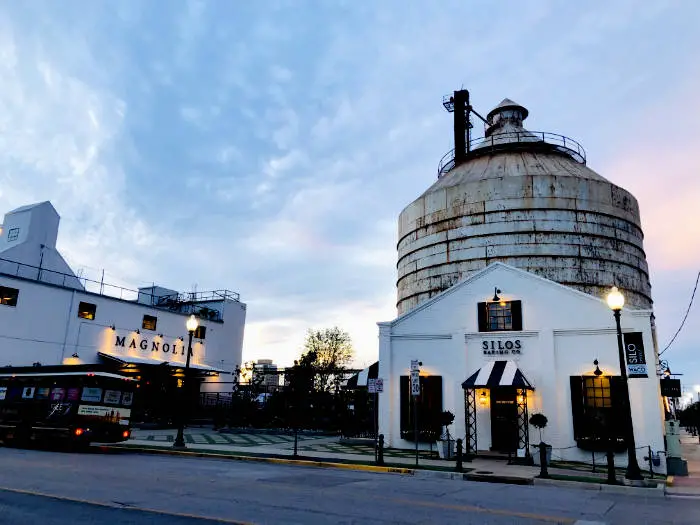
x=50, y=487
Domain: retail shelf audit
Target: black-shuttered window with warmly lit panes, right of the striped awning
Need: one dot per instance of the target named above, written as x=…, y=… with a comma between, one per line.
x=598, y=409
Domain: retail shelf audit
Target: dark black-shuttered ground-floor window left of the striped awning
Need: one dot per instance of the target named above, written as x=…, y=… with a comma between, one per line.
x=428, y=405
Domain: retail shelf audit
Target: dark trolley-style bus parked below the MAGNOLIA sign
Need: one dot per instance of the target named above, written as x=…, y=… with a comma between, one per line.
x=64, y=405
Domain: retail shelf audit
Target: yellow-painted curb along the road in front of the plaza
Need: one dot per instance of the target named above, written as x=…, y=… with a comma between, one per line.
x=261, y=459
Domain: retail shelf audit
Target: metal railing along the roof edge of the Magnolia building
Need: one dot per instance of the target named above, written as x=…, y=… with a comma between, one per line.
x=182, y=302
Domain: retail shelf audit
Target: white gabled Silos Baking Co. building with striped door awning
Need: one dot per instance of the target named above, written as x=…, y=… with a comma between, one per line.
x=493, y=361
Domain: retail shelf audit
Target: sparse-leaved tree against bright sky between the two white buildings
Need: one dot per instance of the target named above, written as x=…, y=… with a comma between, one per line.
x=330, y=351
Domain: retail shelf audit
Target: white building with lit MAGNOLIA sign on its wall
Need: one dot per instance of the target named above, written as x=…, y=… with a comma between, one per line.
x=50, y=316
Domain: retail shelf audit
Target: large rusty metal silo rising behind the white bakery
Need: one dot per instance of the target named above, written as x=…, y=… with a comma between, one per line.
x=523, y=198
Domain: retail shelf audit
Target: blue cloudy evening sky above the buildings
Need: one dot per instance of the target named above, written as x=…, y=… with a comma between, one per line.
x=268, y=147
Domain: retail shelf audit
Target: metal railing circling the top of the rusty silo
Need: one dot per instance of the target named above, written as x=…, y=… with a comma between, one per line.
x=501, y=141
